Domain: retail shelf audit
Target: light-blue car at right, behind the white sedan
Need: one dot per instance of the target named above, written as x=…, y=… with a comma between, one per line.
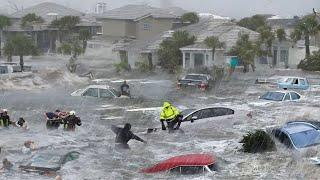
x=294, y=83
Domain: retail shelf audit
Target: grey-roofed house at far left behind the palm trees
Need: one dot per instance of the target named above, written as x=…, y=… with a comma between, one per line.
x=45, y=36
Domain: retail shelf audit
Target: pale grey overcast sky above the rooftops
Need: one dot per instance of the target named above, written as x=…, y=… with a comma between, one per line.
x=231, y=8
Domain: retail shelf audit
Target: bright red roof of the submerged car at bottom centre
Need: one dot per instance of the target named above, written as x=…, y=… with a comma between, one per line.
x=184, y=160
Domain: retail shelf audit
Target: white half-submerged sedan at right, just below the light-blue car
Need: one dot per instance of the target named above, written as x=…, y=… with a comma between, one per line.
x=277, y=96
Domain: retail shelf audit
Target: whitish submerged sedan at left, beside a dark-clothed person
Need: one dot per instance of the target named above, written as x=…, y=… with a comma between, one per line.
x=97, y=91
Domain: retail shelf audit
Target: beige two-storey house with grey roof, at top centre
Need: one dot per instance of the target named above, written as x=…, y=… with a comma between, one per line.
x=138, y=21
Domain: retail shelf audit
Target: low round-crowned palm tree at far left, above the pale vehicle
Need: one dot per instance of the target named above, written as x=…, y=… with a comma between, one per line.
x=20, y=45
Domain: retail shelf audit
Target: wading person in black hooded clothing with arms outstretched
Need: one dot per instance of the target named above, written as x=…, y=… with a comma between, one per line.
x=124, y=135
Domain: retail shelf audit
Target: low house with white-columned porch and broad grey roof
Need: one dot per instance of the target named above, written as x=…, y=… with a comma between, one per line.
x=197, y=55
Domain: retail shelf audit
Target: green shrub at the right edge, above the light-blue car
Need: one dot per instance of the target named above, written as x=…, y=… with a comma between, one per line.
x=312, y=63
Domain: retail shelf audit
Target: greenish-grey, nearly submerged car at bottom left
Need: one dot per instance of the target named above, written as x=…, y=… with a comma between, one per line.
x=48, y=162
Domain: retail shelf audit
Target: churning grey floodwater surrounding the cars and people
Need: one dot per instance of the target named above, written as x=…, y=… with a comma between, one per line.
x=95, y=141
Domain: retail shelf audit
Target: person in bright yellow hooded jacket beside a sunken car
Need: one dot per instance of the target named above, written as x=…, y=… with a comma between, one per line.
x=171, y=115
